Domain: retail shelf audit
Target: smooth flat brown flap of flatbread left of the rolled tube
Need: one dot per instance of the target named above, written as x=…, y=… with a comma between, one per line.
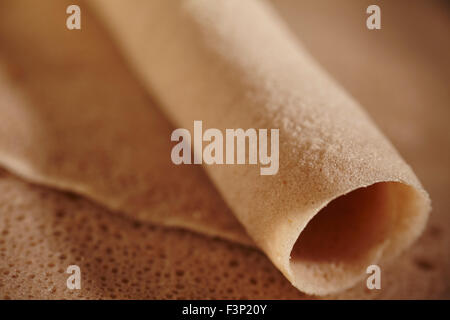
x=75, y=119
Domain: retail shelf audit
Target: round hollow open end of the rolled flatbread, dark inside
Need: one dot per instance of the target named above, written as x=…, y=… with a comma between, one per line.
x=363, y=227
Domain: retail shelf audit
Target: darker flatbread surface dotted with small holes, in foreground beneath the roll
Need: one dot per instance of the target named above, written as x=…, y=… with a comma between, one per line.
x=43, y=231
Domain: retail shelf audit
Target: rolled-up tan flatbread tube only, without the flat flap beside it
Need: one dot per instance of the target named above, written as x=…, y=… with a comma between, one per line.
x=210, y=61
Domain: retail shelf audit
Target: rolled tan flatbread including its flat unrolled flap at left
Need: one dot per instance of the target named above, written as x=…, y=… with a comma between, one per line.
x=342, y=199
